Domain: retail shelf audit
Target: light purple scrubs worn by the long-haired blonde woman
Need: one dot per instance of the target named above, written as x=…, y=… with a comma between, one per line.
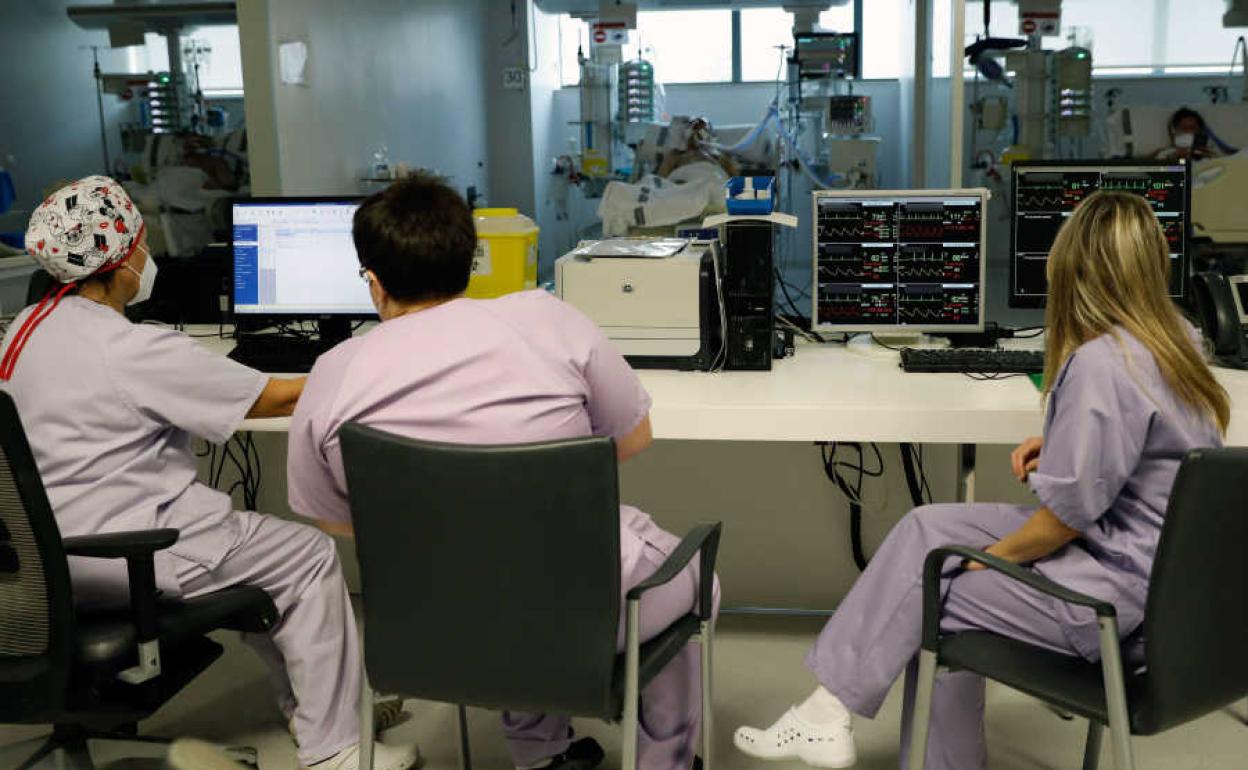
x=1115, y=436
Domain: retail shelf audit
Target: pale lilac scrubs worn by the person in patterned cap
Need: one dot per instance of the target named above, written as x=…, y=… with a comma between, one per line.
x=110, y=410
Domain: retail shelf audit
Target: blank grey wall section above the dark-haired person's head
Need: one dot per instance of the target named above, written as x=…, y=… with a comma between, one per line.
x=402, y=74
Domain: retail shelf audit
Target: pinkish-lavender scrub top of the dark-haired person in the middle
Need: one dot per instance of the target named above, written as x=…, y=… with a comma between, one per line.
x=525, y=368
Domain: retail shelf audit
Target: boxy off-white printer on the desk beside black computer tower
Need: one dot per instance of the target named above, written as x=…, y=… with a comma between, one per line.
x=662, y=313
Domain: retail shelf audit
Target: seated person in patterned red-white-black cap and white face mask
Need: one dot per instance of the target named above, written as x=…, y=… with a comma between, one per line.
x=110, y=409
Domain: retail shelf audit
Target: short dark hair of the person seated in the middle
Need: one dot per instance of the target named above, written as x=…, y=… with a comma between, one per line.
x=419, y=239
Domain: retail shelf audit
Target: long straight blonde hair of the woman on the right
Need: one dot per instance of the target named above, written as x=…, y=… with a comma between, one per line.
x=1110, y=269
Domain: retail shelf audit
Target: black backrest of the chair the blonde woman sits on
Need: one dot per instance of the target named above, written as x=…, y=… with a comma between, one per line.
x=1196, y=625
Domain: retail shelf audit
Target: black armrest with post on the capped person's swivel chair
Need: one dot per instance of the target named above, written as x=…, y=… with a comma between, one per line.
x=139, y=550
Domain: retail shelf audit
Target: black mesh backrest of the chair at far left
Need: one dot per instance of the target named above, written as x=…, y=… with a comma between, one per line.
x=37, y=603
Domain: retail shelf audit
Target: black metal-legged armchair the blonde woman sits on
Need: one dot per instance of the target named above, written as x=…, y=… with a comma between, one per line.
x=1196, y=626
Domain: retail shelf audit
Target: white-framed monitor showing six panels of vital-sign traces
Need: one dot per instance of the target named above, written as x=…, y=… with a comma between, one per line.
x=899, y=261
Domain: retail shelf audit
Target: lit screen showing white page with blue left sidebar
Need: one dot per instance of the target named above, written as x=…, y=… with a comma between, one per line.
x=296, y=258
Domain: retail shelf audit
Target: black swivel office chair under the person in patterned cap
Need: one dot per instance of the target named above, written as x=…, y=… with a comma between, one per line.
x=93, y=676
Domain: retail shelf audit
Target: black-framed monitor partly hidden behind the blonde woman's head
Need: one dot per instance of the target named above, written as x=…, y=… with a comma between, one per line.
x=1046, y=193
